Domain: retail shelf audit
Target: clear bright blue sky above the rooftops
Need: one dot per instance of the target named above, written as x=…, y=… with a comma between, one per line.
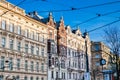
x=74, y=17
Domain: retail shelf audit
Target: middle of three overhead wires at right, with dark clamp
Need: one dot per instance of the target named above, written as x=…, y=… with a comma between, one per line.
x=98, y=15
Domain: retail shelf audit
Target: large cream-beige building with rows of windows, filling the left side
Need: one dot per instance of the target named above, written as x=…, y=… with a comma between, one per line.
x=23, y=46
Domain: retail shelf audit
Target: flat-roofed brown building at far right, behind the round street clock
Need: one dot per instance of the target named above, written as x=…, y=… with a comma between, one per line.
x=99, y=51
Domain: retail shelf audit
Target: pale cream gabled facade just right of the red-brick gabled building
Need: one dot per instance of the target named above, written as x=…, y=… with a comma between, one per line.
x=76, y=54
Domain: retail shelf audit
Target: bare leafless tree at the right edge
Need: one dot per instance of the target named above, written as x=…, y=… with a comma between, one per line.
x=112, y=37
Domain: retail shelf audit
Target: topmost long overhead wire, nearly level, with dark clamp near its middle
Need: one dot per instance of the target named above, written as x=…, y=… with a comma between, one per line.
x=86, y=7
